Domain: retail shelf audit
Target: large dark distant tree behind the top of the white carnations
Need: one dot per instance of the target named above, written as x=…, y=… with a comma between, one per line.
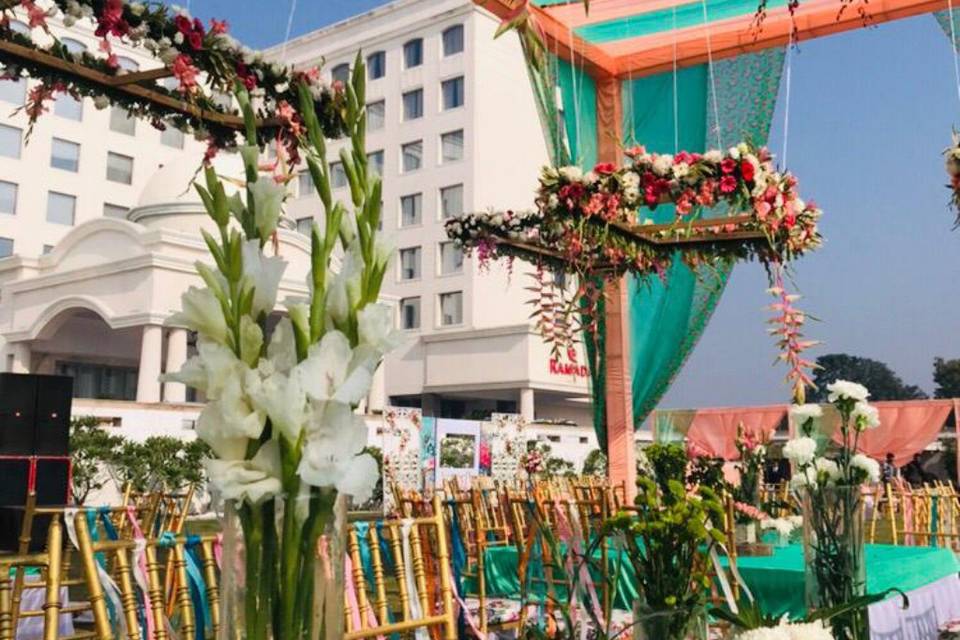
x=876, y=376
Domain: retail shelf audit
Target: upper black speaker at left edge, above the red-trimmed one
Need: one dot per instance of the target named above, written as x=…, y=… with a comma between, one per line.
x=35, y=414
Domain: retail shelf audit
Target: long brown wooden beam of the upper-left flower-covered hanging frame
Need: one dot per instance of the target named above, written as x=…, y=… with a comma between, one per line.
x=120, y=83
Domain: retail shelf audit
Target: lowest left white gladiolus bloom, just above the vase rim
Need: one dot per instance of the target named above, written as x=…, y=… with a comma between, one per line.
x=251, y=480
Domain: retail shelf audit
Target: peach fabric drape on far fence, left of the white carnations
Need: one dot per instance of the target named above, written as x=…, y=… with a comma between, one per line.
x=713, y=432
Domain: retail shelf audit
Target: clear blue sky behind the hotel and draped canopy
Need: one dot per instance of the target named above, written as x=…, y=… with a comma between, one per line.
x=870, y=112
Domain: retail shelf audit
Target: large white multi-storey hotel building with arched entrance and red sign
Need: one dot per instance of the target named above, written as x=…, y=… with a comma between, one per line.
x=97, y=241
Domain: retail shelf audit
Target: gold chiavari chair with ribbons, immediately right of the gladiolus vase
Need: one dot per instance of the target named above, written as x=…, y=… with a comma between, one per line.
x=426, y=547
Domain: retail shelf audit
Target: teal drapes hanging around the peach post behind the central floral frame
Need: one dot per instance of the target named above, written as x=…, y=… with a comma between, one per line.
x=668, y=313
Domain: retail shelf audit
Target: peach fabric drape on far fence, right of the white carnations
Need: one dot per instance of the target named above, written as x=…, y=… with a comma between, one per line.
x=906, y=428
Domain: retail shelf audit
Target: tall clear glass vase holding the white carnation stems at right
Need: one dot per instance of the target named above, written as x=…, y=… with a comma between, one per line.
x=833, y=549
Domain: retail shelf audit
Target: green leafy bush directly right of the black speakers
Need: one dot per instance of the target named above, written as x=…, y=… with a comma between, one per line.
x=94, y=450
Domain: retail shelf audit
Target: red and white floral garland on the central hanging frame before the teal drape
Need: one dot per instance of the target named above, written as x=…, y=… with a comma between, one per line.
x=587, y=224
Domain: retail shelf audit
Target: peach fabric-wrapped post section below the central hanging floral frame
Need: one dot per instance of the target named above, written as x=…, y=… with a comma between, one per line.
x=621, y=453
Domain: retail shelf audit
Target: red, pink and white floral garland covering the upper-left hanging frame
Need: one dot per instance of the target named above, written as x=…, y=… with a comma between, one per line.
x=202, y=58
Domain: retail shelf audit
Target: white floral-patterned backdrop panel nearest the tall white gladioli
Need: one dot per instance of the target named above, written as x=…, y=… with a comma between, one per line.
x=408, y=452
